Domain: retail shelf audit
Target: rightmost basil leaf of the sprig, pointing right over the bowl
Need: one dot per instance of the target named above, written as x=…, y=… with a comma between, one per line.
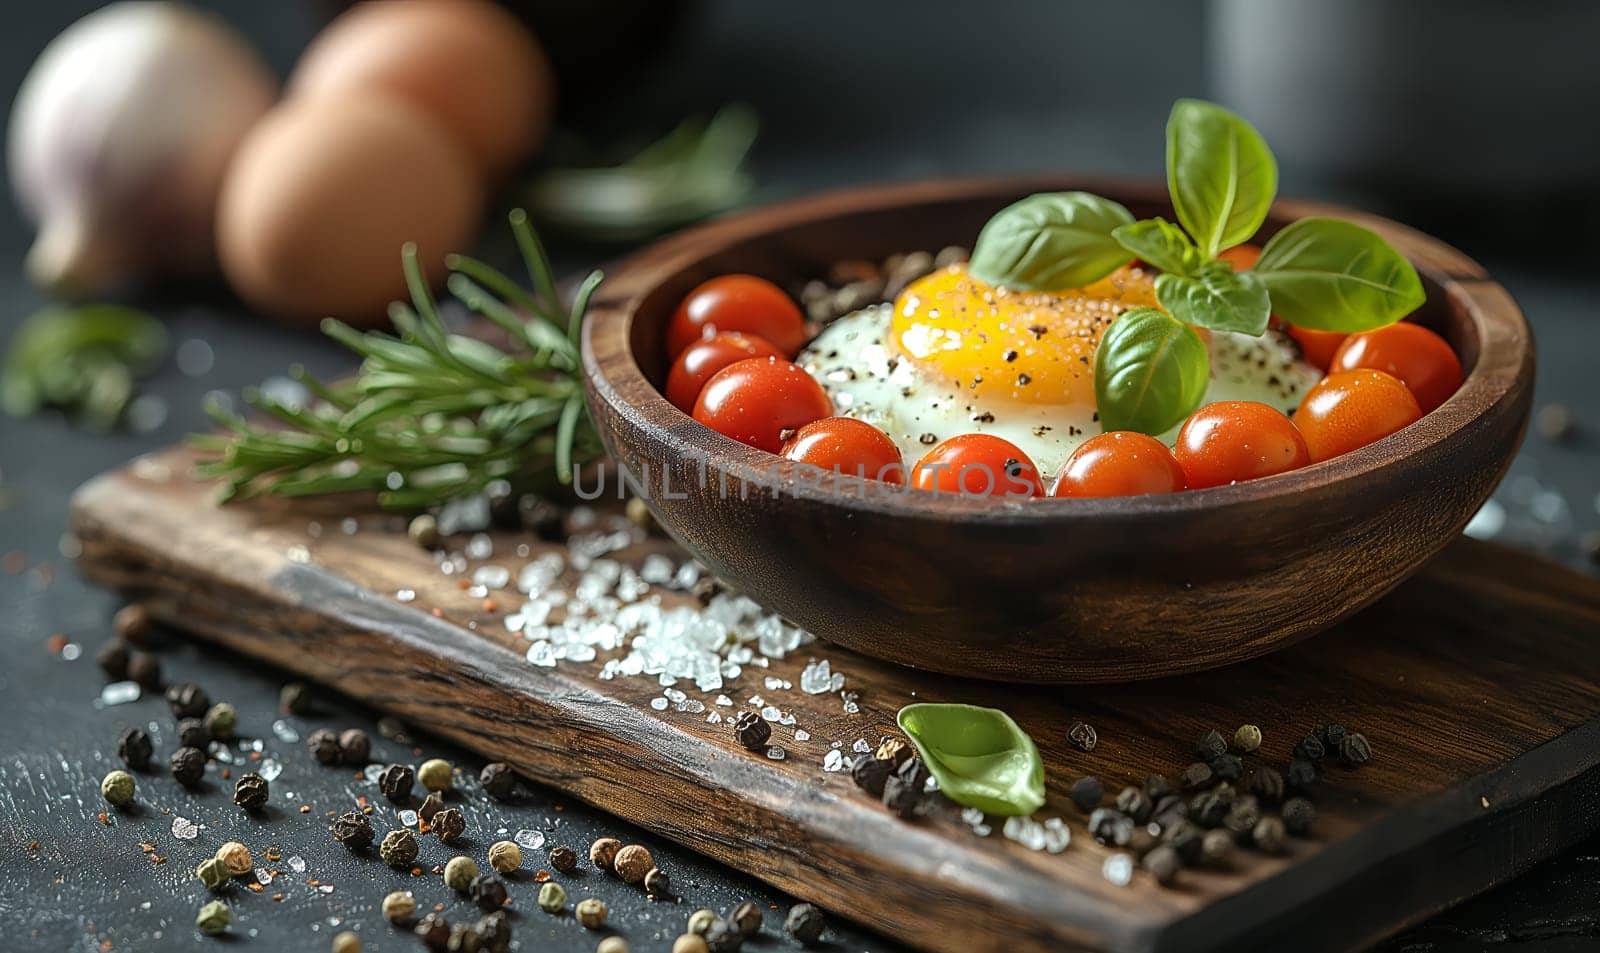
x=1335, y=276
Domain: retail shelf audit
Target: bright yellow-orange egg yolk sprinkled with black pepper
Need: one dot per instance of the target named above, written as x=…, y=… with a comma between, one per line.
x=1014, y=346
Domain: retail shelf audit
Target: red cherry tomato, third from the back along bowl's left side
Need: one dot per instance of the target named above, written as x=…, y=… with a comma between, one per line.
x=758, y=401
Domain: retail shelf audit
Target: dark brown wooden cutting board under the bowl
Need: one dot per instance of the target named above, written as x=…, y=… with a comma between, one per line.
x=1478, y=684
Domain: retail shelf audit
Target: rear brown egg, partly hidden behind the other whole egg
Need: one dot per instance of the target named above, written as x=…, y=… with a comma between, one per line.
x=470, y=63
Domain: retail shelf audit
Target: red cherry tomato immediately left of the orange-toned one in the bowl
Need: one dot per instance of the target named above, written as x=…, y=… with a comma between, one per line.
x=1236, y=441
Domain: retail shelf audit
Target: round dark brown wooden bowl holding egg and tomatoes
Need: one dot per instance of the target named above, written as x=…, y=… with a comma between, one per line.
x=1046, y=591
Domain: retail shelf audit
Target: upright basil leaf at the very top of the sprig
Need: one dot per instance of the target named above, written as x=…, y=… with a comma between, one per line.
x=1220, y=173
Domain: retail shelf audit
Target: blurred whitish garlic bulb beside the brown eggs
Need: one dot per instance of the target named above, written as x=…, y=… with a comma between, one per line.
x=121, y=137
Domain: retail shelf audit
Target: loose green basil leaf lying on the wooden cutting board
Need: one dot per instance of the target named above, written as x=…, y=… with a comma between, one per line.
x=980, y=757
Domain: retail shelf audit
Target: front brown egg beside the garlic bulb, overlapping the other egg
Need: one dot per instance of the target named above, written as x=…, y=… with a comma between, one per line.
x=321, y=197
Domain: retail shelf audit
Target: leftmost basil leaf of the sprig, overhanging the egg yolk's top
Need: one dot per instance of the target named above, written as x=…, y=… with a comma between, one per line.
x=1050, y=242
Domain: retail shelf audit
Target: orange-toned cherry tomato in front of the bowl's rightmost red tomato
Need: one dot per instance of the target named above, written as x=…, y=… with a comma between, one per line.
x=1348, y=410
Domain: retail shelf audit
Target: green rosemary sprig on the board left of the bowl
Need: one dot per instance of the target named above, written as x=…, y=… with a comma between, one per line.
x=433, y=415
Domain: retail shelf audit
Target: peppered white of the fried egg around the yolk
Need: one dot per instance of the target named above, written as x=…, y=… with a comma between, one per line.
x=871, y=381
